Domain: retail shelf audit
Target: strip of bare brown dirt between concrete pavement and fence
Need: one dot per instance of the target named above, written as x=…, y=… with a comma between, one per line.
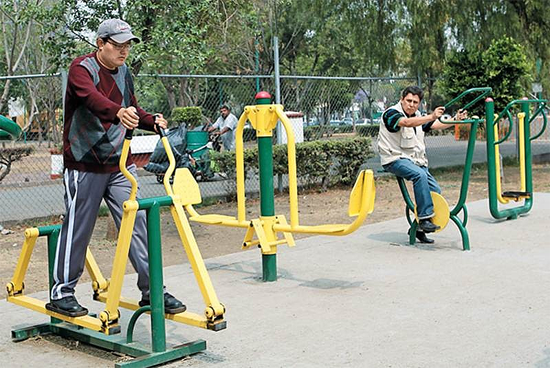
x=315, y=208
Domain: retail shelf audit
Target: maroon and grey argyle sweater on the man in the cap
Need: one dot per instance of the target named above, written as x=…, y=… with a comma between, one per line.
x=93, y=135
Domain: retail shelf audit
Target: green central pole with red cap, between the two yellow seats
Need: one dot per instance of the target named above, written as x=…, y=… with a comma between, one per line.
x=267, y=199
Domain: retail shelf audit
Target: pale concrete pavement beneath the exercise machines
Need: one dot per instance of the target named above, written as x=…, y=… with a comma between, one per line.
x=364, y=300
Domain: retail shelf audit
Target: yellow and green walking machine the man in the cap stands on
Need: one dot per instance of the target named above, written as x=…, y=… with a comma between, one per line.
x=97, y=329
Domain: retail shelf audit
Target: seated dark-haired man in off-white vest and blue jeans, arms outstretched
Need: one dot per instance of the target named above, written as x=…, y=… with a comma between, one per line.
x=403, y=151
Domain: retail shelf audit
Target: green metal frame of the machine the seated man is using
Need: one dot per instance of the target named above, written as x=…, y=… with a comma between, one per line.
x=461, y=204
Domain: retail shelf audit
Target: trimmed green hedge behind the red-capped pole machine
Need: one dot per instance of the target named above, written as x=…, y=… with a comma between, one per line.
x=330, y=162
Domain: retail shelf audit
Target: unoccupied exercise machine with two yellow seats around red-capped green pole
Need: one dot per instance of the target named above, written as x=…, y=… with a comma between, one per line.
x=263, y=117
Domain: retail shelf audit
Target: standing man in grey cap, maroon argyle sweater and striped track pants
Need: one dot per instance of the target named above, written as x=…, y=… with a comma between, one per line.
x=99, y=107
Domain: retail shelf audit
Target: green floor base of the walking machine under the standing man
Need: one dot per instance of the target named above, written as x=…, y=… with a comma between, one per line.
x=144, y=357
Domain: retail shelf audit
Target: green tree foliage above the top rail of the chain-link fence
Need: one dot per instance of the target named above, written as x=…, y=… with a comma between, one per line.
x=414, y=38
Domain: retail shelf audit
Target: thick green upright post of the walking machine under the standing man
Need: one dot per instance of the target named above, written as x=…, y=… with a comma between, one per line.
x=156, y=296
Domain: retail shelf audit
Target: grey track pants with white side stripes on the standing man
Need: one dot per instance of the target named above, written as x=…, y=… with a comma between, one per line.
x=83, y=194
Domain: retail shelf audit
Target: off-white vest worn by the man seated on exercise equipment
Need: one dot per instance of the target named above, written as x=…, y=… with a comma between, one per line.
x=406, y=143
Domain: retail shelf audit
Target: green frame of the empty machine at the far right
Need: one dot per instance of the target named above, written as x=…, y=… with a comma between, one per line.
x=540, y=105
